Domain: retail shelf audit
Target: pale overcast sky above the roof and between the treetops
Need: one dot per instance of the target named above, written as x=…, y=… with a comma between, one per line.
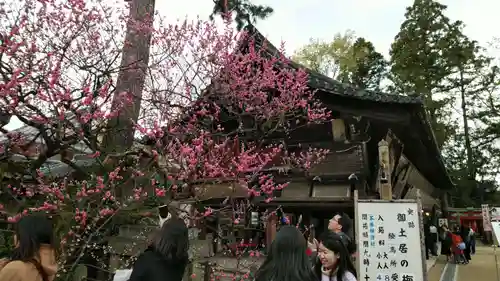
x=294, y=22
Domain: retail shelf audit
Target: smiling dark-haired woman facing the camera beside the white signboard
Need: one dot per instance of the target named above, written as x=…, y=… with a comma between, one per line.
x=334, y=262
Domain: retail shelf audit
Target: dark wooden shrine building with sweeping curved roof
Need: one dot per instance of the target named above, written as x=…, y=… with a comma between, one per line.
x=362, y=121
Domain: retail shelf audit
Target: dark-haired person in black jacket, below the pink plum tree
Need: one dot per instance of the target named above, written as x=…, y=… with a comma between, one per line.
x=167, y=257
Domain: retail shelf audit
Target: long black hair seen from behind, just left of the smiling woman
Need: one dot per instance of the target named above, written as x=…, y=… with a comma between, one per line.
x=286, y=258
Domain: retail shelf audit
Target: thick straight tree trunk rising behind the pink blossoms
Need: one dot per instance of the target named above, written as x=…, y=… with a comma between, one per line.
x=135, y=58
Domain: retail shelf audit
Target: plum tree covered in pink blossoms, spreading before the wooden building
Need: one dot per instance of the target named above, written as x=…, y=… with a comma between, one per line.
x=211, y=99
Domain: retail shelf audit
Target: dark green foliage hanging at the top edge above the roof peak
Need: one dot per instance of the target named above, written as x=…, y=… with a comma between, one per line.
x=246, y=12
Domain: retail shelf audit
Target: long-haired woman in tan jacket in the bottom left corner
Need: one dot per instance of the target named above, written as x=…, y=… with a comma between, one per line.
x=33, y=258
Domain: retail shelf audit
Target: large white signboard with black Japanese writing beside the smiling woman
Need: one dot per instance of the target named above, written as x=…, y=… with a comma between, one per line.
x=389, y=241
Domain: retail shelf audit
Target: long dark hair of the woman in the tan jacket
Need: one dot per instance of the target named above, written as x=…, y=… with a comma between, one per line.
x=33, y=231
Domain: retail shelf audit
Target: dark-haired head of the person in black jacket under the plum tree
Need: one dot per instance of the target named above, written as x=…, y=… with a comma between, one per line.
x=172, y=241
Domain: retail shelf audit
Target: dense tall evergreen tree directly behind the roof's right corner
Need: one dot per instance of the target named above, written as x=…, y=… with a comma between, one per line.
x=420, y=60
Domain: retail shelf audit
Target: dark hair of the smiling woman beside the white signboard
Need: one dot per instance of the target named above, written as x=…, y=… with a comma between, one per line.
x=334, y=243
